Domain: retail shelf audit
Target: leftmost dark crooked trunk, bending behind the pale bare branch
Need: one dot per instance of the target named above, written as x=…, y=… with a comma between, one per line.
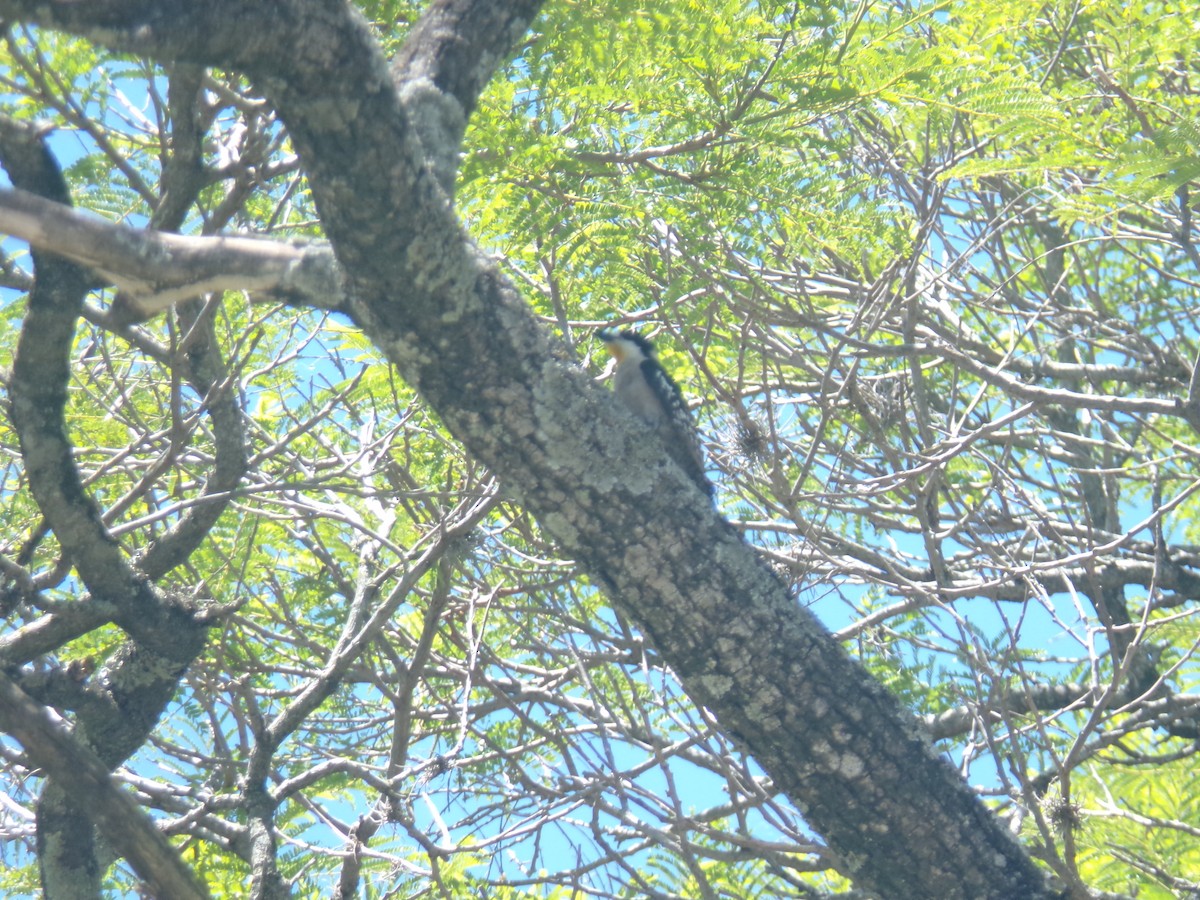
x=142, y=676
